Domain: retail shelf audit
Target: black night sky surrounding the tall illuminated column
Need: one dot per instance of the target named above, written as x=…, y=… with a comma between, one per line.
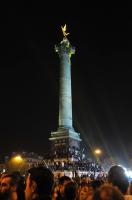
x=101, y=76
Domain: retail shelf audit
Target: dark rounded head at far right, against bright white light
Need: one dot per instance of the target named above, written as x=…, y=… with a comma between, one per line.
x=117, y=177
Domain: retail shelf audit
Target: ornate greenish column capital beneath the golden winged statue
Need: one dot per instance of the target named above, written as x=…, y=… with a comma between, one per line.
x=65, y=48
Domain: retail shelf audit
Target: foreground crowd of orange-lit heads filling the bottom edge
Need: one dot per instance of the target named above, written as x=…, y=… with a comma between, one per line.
x=39, y=183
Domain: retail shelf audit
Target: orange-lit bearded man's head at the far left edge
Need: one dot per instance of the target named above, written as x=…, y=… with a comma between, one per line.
x=8, y=187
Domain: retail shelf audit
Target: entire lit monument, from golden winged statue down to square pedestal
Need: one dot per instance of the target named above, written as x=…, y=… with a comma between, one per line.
x=65, y=141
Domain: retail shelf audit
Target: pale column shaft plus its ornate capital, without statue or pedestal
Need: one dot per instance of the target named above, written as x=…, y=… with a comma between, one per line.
x=65, y=97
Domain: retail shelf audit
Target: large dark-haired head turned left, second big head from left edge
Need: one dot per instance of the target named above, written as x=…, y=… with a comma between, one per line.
x=39, y=183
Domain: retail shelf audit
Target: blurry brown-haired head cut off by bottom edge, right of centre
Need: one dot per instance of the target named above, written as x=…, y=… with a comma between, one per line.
x=108, y=192
